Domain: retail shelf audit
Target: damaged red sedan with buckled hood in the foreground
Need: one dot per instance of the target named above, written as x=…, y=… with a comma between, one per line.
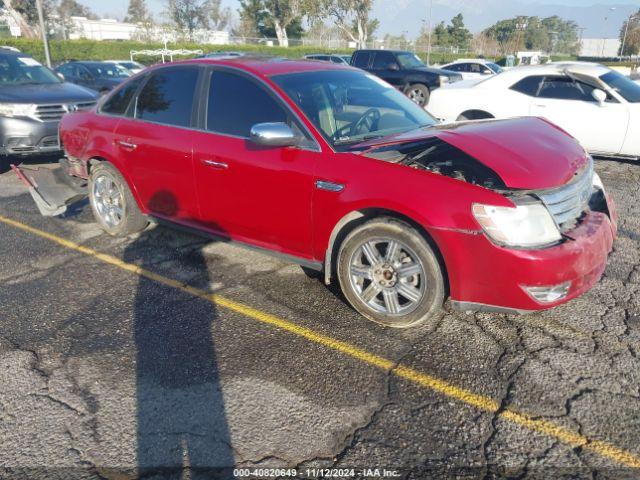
x=327, y=166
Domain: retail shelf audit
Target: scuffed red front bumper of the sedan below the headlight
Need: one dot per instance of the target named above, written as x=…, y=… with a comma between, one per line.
x=486, y=277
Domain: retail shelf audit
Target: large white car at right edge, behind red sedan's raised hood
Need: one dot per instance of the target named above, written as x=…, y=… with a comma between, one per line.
x=598, y=106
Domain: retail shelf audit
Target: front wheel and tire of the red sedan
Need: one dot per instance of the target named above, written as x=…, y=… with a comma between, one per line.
x=371, y=277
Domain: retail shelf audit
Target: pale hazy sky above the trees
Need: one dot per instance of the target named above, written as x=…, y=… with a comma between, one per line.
x=598, y=18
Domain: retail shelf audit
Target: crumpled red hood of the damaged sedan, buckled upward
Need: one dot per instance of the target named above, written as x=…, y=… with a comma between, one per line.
x=526, y=153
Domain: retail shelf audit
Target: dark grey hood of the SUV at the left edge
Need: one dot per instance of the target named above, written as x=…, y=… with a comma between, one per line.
x=46, y=93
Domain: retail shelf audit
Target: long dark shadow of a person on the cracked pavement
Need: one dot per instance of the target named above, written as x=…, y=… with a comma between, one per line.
x=182, y=426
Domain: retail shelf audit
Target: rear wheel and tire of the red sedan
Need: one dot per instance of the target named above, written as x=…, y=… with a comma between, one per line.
x=112, y=203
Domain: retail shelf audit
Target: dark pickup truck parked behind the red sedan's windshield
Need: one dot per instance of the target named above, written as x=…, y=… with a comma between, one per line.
x=405, y=71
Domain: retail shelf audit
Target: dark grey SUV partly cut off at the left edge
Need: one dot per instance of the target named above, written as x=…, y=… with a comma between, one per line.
x=32, y=101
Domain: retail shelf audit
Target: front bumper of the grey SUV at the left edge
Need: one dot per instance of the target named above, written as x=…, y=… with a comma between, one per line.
x=26, y=136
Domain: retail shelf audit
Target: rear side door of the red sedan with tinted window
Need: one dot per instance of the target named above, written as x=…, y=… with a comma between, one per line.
x=156, y=144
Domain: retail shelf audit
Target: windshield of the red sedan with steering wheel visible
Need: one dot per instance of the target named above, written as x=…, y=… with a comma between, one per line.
x=348, y=107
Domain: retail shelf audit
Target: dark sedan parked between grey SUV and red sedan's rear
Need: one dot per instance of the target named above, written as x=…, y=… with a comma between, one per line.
x=98, y=76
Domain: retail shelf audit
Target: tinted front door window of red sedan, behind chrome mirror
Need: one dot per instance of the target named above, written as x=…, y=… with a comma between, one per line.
x=236, y=103
